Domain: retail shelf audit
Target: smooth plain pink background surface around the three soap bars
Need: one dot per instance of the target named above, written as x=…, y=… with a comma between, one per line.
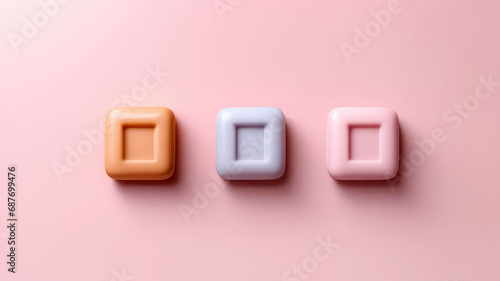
x=441, y=223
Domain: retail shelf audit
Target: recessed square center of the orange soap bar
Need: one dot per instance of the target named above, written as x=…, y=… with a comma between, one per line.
x=138, y=143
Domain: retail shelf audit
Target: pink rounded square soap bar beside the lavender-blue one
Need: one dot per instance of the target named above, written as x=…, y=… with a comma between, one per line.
x=363, y=143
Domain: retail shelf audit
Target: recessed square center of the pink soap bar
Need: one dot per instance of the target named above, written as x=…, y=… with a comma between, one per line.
x=364, y=142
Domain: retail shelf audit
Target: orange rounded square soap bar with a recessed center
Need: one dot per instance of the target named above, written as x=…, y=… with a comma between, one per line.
x=140, y=143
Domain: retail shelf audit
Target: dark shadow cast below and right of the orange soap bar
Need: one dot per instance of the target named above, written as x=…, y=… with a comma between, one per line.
x=170, y=183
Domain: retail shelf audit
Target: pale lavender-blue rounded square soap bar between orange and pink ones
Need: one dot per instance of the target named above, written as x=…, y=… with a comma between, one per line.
x=250, y=143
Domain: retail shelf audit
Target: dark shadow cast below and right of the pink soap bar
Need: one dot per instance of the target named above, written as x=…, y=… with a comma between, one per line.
x=394, y=185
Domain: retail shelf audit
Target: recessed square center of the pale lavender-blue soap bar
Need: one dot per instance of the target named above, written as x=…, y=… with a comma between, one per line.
x=250, y=143
